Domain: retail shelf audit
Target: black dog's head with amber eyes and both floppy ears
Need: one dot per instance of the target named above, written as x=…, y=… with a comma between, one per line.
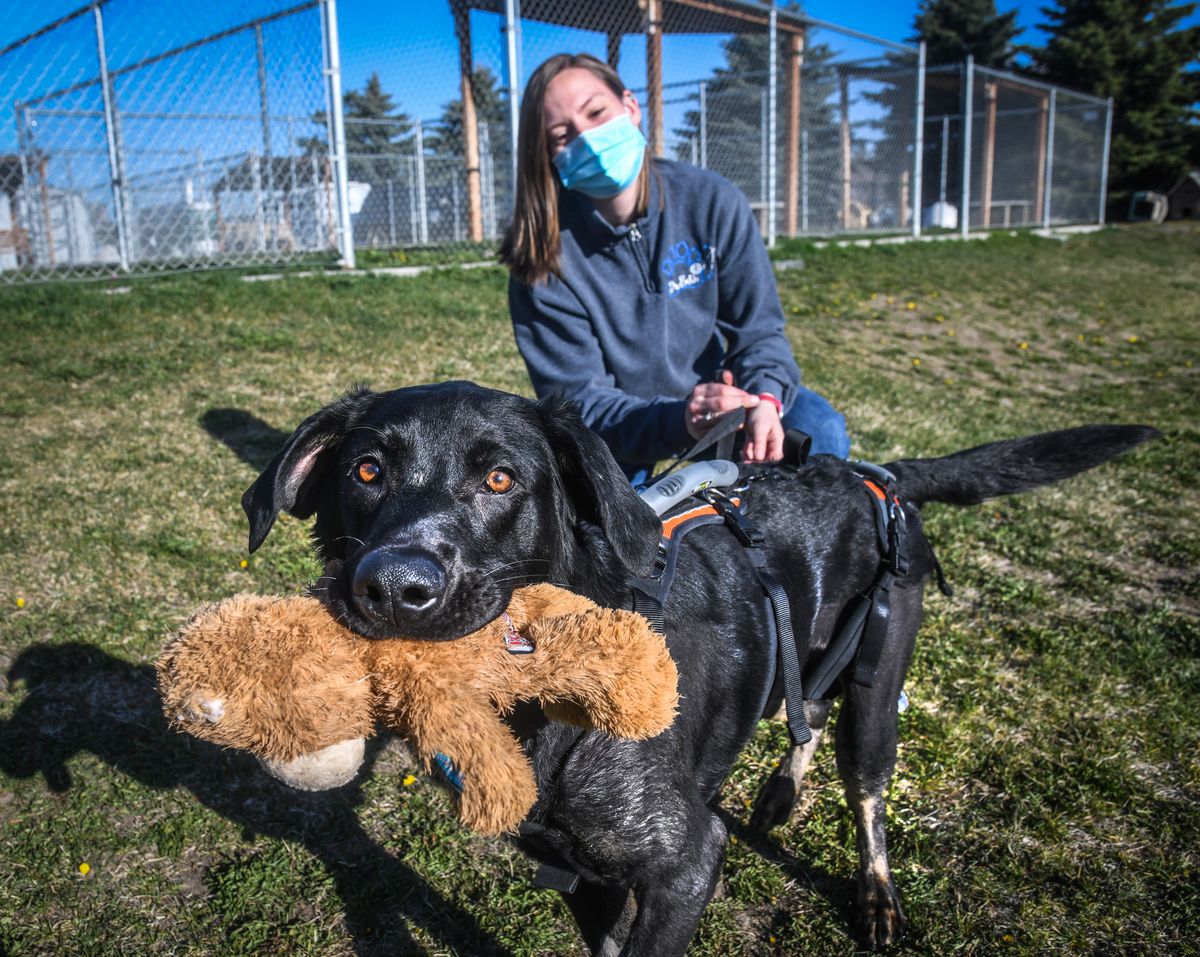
x=435, y=503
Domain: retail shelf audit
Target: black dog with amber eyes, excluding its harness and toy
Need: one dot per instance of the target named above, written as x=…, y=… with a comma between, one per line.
x=434, y=503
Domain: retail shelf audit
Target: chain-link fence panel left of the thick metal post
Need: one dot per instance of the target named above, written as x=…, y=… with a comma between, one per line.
x=200, y=143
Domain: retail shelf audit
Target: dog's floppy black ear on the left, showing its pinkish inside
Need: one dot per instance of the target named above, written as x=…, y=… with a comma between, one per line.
x=291, y=481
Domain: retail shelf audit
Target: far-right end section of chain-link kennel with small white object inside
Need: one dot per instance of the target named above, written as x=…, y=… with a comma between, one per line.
x=1024, y=154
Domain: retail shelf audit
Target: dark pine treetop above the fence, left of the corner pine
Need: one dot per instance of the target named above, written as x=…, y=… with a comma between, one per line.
x=952, y=29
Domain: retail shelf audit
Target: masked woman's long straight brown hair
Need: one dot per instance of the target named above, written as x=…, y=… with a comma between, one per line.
x=532, y=242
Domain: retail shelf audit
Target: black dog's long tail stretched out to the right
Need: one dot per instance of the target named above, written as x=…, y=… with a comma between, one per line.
x=1003, y=468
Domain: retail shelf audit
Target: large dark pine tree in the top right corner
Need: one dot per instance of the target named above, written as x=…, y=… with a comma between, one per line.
x=1136, y=52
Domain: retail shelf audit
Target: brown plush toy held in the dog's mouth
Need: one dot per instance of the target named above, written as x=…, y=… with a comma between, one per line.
x=280, y=678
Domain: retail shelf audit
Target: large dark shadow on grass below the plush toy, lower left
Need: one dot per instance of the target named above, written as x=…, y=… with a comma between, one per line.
x=79, y=699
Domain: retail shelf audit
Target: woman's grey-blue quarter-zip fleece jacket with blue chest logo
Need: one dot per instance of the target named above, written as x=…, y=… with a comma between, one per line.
x=643, y=314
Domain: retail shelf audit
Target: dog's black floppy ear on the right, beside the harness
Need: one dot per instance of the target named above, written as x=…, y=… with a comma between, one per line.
x=599, y=490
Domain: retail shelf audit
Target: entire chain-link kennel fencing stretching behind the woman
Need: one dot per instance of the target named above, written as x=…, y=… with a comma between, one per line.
x=218, y=137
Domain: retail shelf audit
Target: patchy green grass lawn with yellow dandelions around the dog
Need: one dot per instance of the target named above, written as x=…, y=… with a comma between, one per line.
x=1048, y=795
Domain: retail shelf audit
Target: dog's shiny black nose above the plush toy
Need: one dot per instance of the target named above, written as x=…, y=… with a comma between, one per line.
x=399, y=585
